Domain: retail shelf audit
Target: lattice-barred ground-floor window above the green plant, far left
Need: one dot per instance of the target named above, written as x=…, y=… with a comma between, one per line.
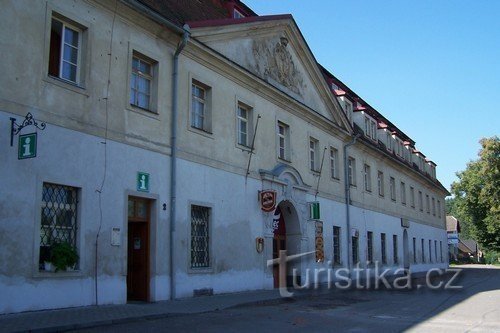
x=59, y=218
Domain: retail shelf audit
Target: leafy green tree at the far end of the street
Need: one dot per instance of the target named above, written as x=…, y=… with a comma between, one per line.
x=477, y=194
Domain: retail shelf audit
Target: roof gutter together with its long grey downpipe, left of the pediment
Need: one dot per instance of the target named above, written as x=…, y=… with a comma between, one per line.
x=185, y=33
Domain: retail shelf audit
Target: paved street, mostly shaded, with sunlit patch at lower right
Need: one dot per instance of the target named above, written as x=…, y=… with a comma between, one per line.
x=475, y=308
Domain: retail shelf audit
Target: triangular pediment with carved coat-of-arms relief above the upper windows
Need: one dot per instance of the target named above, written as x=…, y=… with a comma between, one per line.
x=273, y=49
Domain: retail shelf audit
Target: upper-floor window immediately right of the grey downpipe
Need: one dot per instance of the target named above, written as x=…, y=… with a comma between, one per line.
x=200, y=106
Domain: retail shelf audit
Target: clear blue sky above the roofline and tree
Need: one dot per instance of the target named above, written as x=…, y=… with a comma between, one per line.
x=431, y=67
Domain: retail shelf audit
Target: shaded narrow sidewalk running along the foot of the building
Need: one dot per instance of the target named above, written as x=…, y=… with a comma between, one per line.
x=91, y=316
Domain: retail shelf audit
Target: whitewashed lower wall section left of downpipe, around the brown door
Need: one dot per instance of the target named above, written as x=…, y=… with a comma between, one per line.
x=71, y=158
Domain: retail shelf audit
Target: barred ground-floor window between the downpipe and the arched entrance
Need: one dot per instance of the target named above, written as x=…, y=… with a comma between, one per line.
x=200, y=237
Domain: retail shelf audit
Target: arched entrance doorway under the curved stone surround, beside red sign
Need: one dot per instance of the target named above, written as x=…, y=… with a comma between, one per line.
x=286, y=236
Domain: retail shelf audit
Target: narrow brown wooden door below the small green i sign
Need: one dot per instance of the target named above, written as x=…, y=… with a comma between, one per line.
x=138, y=250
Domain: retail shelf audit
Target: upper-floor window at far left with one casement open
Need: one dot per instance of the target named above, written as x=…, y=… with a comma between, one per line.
x=65, y=51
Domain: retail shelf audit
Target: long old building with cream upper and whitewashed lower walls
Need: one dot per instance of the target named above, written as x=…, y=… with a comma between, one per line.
x=163, y=124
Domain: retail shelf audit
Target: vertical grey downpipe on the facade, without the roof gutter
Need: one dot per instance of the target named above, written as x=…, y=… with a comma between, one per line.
x=173, y=157
